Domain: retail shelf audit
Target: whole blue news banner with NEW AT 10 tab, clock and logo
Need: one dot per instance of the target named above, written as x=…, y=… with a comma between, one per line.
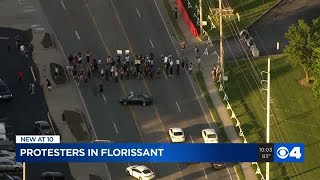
x=49, y=149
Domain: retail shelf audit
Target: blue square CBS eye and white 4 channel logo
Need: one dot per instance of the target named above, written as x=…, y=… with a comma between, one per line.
x=289, y=152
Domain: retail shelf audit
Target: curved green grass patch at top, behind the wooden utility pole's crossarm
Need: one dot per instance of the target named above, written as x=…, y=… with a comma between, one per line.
x=249, y=11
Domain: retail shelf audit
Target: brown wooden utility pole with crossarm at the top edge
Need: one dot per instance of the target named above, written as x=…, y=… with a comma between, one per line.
x=221, y=12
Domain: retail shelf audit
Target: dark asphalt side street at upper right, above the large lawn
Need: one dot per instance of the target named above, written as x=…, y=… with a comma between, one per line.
x=271, y=28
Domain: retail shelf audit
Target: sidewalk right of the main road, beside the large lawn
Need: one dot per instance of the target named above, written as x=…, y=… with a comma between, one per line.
x=207, y=62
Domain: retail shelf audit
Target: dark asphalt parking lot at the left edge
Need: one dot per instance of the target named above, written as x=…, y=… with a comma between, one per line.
x=25, y=109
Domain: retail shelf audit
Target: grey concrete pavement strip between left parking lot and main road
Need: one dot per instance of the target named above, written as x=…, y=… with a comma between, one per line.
x=60, y=98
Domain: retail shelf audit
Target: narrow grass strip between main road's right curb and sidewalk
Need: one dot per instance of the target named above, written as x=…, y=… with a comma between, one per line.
x=212, y=109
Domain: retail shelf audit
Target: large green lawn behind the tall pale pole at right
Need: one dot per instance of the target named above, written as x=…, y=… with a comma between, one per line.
x=295, y=112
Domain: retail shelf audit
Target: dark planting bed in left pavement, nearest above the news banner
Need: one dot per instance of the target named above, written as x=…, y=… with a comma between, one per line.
x=76, y=125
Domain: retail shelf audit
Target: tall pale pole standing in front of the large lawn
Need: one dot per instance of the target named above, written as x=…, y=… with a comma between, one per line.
x=268, y=114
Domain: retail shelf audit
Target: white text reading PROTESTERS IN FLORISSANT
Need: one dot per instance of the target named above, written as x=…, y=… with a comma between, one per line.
x=92, y=152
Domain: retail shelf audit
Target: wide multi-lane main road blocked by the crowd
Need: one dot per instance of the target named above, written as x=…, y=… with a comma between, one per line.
x=104, y=26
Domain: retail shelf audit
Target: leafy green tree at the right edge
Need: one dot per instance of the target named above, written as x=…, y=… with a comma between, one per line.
x=302, y=40
